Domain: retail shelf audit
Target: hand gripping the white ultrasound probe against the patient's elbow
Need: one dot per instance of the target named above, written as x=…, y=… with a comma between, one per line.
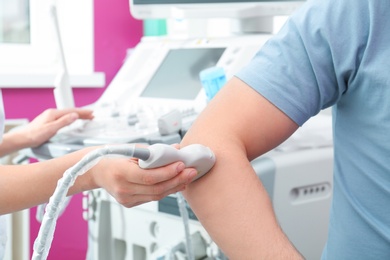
x=131, y=186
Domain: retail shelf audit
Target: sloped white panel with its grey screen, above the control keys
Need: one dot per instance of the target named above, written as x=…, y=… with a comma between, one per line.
x=176, y=63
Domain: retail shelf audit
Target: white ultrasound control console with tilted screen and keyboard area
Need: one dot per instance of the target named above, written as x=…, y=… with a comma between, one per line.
x=159, y=76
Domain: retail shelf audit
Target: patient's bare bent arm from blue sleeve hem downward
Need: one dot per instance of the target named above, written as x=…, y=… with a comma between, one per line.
x=230, y=201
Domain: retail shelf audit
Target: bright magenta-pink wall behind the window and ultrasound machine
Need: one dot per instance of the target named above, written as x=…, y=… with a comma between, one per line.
x=115, y=32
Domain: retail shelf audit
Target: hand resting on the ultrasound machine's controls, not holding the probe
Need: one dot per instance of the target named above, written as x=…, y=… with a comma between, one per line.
x=46, y=125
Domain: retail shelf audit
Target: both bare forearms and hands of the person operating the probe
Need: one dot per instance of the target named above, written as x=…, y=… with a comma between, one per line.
x=25, y=186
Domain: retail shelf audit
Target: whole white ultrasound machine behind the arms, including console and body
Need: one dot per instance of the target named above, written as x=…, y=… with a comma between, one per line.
x=155, y=97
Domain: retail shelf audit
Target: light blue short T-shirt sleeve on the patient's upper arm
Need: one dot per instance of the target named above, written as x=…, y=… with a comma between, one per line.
x=306, y=67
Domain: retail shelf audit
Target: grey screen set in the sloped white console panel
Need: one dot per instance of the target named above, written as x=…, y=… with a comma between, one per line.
x=177, y=77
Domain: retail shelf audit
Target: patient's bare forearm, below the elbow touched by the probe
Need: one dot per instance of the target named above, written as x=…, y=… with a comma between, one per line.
x=234, y=208
